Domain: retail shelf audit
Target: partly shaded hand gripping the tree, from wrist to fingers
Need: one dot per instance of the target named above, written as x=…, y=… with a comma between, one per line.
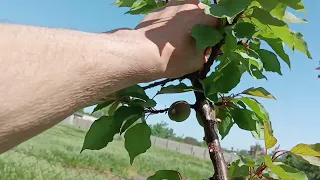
x=170, y=29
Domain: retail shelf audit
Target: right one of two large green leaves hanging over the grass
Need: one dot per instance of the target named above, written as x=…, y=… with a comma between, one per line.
x=137, y=140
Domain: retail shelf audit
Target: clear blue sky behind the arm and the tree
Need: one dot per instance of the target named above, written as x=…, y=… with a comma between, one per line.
x=294, y=115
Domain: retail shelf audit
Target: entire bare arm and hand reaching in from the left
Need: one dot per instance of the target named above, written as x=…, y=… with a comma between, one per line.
x=47, y=74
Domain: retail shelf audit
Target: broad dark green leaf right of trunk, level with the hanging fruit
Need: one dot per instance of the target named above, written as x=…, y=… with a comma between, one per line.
x=245, y=119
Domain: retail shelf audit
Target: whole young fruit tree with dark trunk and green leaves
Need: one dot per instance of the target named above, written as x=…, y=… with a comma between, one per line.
x=236, y=50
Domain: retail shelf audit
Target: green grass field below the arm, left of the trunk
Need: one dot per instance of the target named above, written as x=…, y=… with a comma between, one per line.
x=55, y=154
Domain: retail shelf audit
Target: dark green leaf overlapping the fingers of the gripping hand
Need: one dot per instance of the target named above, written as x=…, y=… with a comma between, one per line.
x=205, y=36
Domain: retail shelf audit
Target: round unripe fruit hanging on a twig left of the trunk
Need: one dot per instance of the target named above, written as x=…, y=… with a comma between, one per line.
x=179, y=111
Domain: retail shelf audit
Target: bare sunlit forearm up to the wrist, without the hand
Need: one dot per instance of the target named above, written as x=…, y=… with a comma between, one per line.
x=47, y=74
